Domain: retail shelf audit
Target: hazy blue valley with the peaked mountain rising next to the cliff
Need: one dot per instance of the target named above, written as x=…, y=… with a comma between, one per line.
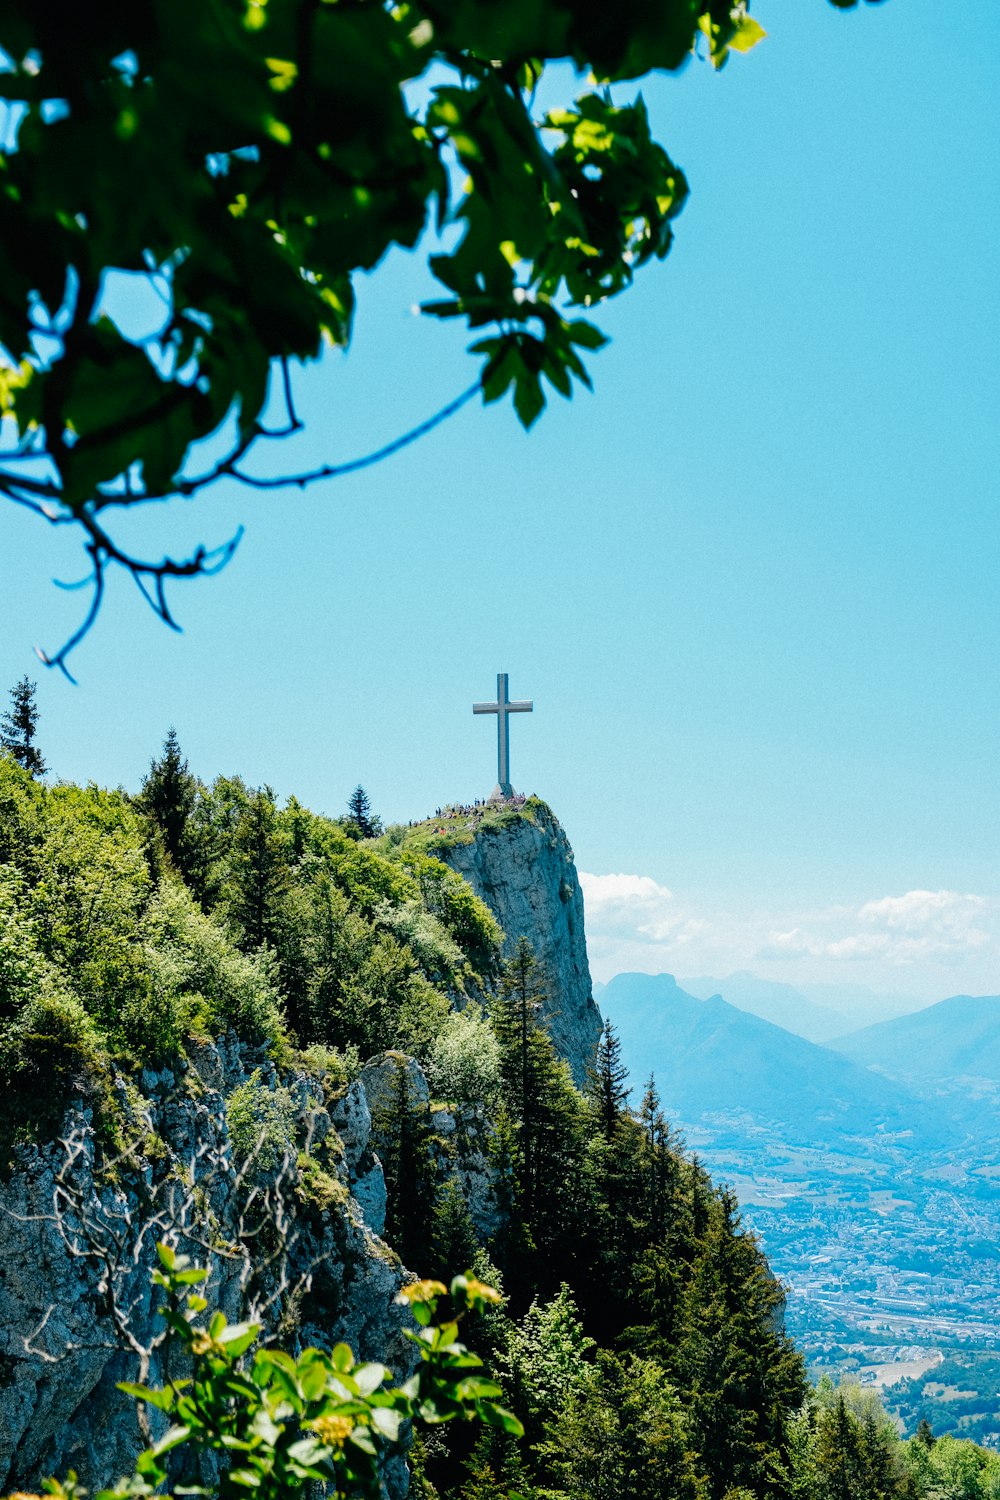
x=876, y=1199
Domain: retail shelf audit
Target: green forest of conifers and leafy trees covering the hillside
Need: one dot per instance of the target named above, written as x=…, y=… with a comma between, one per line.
x=638, y=1340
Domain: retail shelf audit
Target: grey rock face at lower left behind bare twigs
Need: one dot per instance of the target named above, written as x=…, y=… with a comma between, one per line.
x=61, y=1354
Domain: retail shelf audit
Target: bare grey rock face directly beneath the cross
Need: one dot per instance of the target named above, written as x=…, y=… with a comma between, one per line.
x=522, y=868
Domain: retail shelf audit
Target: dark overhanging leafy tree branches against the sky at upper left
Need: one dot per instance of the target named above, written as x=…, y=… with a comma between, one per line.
x=247, y=160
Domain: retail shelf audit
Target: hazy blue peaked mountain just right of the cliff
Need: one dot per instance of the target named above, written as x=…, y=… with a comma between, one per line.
x=713, y=1058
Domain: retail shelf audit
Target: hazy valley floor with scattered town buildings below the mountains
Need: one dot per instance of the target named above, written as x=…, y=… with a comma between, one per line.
x=891, y=1264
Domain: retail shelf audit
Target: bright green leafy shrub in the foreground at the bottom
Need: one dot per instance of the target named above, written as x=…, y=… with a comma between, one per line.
x=284, y=1426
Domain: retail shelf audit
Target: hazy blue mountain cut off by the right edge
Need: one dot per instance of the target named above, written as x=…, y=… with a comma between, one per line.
x=944, y=1045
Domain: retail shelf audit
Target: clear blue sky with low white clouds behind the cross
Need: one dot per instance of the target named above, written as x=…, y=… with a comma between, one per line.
x=750, y=583
